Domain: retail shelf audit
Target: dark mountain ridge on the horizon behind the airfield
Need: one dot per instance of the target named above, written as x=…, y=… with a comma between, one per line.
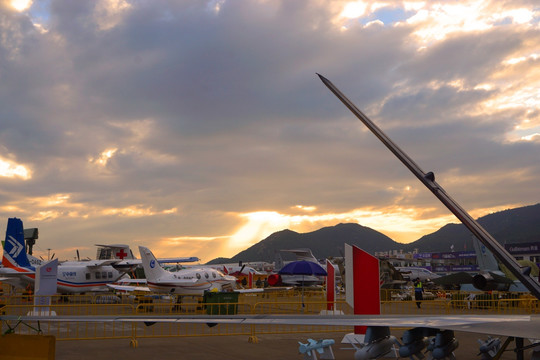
x=508, y=226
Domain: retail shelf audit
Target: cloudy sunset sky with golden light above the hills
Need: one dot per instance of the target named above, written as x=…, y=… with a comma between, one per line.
x=199, y=128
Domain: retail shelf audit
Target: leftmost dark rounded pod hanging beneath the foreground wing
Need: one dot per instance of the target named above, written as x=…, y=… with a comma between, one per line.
x=378, y=343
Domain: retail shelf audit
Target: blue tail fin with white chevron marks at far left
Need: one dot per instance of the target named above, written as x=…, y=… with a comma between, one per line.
x=14, y=247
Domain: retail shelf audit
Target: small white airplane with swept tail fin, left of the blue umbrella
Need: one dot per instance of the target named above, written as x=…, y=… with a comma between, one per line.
x=189, y=281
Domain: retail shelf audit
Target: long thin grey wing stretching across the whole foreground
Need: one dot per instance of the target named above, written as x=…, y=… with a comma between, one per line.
x=524, y=326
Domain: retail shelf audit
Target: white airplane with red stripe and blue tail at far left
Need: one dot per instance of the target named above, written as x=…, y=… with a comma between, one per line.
x=73, y=276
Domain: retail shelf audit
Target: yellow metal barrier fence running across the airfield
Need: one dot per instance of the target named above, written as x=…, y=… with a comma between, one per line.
x=259, y=303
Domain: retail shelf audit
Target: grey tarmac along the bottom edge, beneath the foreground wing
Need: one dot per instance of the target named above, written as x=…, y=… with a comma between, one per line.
x=282, y=346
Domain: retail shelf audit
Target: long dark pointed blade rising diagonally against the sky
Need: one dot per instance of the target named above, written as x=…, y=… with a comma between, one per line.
x=428, y=179
